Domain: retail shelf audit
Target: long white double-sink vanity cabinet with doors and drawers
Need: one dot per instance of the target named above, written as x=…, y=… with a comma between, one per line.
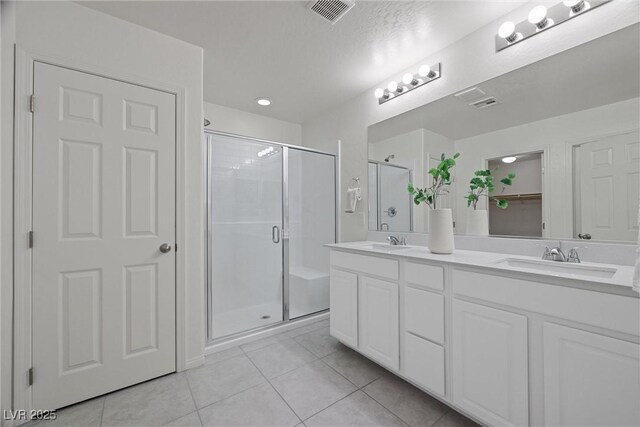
x=503, y=347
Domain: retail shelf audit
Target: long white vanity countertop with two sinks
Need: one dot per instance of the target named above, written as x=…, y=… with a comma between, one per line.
x=620, y=283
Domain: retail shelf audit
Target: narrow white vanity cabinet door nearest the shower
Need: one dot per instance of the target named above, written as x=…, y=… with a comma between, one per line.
x=343, y=301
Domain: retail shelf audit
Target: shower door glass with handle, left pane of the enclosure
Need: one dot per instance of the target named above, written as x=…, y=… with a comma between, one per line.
x=245, y=247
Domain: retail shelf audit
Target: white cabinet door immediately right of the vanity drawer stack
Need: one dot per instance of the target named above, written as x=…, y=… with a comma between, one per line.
x=490, y=375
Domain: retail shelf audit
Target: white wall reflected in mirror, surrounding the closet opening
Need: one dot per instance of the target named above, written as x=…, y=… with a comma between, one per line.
x=554, y=135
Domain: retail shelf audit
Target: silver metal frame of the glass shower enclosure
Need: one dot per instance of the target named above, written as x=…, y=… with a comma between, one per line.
x=284, y=232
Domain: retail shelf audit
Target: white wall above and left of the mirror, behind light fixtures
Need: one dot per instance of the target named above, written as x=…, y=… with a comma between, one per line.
x=468, y=62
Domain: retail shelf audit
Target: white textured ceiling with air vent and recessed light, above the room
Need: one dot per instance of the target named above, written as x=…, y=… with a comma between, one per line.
x=280, y=50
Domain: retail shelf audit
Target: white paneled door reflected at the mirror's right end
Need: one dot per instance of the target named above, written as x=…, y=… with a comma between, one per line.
x=609, y=182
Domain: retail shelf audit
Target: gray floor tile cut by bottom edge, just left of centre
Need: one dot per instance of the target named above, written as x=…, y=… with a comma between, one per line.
x=258, y=406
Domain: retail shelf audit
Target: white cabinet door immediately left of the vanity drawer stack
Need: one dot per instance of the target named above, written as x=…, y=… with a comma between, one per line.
x=378, y=321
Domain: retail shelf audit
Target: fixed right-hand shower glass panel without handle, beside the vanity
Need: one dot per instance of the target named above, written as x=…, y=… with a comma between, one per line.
x=311, y=210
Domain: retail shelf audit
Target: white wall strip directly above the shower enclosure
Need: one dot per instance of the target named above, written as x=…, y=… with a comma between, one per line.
x=230, y=120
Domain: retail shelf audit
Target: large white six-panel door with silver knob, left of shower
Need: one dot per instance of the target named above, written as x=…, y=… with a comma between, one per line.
x=103, y=207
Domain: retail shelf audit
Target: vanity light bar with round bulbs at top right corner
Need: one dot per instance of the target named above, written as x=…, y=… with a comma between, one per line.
x=541, y=19
